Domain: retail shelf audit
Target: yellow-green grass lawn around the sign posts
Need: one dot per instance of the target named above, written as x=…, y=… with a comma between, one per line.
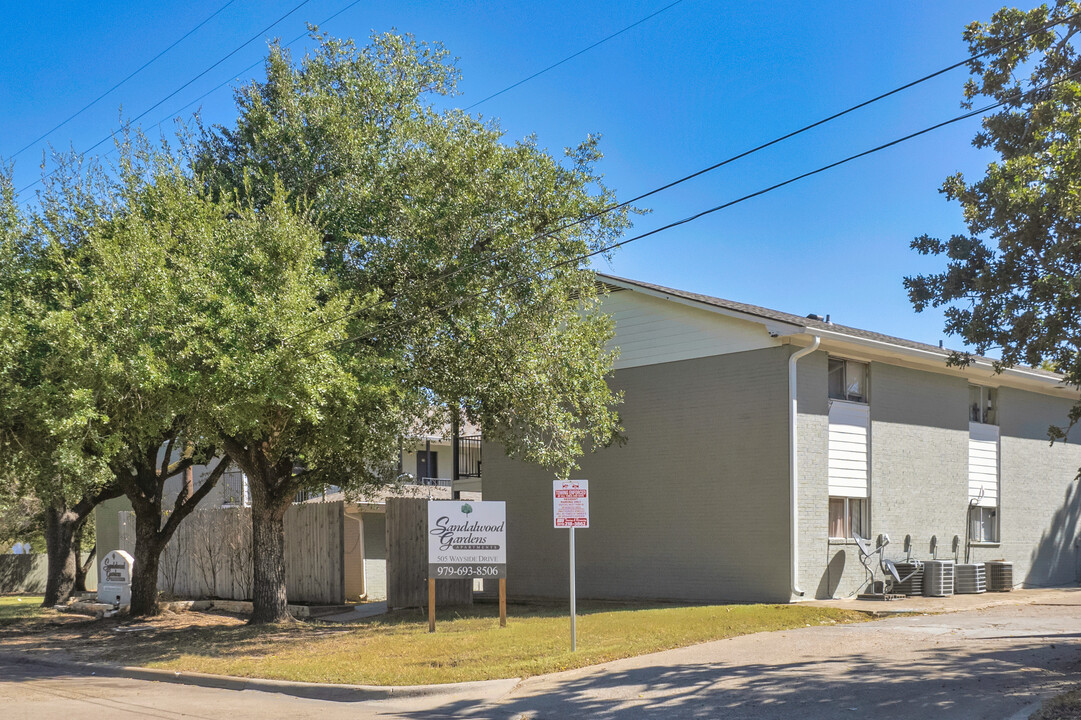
x=397, y=650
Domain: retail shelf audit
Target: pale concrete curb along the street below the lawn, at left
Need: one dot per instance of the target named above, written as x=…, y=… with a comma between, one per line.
x=324, y=691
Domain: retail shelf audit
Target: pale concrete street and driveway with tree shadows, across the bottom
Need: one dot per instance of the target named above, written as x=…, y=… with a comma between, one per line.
x=991, y=663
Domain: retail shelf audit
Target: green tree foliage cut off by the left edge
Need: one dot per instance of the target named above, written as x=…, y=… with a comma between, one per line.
x=46, y=420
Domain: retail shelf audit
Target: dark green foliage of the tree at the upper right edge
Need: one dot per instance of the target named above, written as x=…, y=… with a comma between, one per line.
x=1015, y=282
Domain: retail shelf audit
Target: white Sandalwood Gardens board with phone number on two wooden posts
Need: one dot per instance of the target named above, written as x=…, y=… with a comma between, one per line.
x=468, y=539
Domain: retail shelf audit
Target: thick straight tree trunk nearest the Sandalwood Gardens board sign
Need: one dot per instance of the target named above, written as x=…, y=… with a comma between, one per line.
x=269, y=561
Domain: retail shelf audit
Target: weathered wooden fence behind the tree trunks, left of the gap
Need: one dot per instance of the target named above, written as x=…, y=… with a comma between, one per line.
x=210, y=556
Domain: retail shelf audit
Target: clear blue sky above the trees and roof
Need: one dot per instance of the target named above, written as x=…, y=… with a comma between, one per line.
x=695, y=85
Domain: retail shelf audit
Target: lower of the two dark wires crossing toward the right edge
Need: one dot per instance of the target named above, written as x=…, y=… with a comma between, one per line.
x=693, y=218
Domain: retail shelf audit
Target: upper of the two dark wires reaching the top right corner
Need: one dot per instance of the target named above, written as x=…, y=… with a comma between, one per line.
x=625, y=204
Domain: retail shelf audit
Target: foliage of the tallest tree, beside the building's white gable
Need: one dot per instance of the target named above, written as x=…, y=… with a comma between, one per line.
x=446, y=245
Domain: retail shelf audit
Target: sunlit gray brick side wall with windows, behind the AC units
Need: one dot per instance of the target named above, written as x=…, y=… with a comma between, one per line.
x=919, y=475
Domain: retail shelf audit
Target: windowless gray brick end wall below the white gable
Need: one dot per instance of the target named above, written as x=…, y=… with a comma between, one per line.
x=693, y=508
